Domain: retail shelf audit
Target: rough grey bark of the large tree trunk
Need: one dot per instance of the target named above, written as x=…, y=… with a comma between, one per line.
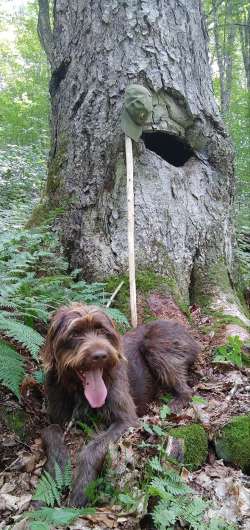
x=183, y=194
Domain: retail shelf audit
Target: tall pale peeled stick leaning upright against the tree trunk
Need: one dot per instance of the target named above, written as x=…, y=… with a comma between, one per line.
x=131, y=228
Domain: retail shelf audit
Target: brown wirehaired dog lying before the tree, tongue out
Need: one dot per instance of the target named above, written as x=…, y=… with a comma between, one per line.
x=89, y=366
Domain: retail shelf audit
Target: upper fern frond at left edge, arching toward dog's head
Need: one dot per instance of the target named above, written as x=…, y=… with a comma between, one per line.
x=25, y=335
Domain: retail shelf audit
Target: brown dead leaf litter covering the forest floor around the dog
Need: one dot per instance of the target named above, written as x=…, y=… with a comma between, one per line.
x=225, y=392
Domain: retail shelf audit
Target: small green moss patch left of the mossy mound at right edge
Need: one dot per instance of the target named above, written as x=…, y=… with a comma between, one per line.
x=195, y=444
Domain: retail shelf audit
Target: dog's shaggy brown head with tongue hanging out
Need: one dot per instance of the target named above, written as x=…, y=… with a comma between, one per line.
x=82, y=340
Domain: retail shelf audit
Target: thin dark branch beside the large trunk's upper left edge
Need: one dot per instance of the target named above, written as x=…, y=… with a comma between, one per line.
x=44, y=30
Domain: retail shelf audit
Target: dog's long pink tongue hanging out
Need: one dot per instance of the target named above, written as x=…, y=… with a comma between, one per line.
x=94, y=388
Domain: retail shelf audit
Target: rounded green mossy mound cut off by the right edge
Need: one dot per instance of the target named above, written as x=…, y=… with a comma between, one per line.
x=233, y=443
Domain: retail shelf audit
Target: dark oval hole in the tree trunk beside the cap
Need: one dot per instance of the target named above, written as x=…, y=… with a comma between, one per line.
x=170, y=147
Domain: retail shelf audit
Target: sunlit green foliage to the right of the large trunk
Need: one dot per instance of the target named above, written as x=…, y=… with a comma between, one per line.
x=236, y=19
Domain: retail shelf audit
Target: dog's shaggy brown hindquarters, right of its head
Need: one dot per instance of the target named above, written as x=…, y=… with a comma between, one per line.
x=159, y=355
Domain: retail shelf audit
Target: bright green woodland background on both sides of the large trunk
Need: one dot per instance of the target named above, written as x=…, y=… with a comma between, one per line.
x=24, y=106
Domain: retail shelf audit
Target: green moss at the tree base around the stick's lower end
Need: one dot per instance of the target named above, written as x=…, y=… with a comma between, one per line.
x=146, y=282
